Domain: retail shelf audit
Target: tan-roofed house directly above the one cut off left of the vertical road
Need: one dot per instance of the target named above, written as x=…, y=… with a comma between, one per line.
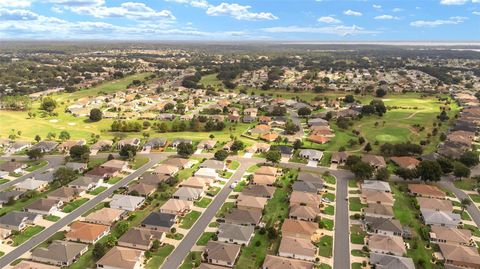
x=297, y=248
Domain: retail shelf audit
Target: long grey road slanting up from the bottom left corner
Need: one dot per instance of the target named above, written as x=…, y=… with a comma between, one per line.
x=48, y=232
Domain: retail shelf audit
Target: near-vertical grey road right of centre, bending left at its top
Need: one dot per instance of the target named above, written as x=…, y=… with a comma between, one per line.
x=341, y=245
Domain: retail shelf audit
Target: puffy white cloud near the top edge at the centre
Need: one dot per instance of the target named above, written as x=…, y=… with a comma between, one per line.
x=239, y=12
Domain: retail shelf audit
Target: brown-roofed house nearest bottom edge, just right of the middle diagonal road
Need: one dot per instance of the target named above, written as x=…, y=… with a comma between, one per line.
x=221, y=253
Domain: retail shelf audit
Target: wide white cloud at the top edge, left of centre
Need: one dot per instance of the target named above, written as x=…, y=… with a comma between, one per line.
x=129, y=10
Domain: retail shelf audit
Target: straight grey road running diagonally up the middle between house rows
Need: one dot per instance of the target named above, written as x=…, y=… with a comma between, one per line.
x=181, y=251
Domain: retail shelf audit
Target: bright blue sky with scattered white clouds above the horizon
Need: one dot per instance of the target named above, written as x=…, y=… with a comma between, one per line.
x=241, y=20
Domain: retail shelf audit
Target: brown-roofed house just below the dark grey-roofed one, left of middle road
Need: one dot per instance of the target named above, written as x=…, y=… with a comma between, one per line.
x=141, y=239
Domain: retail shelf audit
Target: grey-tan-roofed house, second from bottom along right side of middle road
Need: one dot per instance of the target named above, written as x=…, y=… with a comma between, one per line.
x=236, y=234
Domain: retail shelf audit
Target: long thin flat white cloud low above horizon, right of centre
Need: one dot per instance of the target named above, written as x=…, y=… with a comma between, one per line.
x=340, y=30
